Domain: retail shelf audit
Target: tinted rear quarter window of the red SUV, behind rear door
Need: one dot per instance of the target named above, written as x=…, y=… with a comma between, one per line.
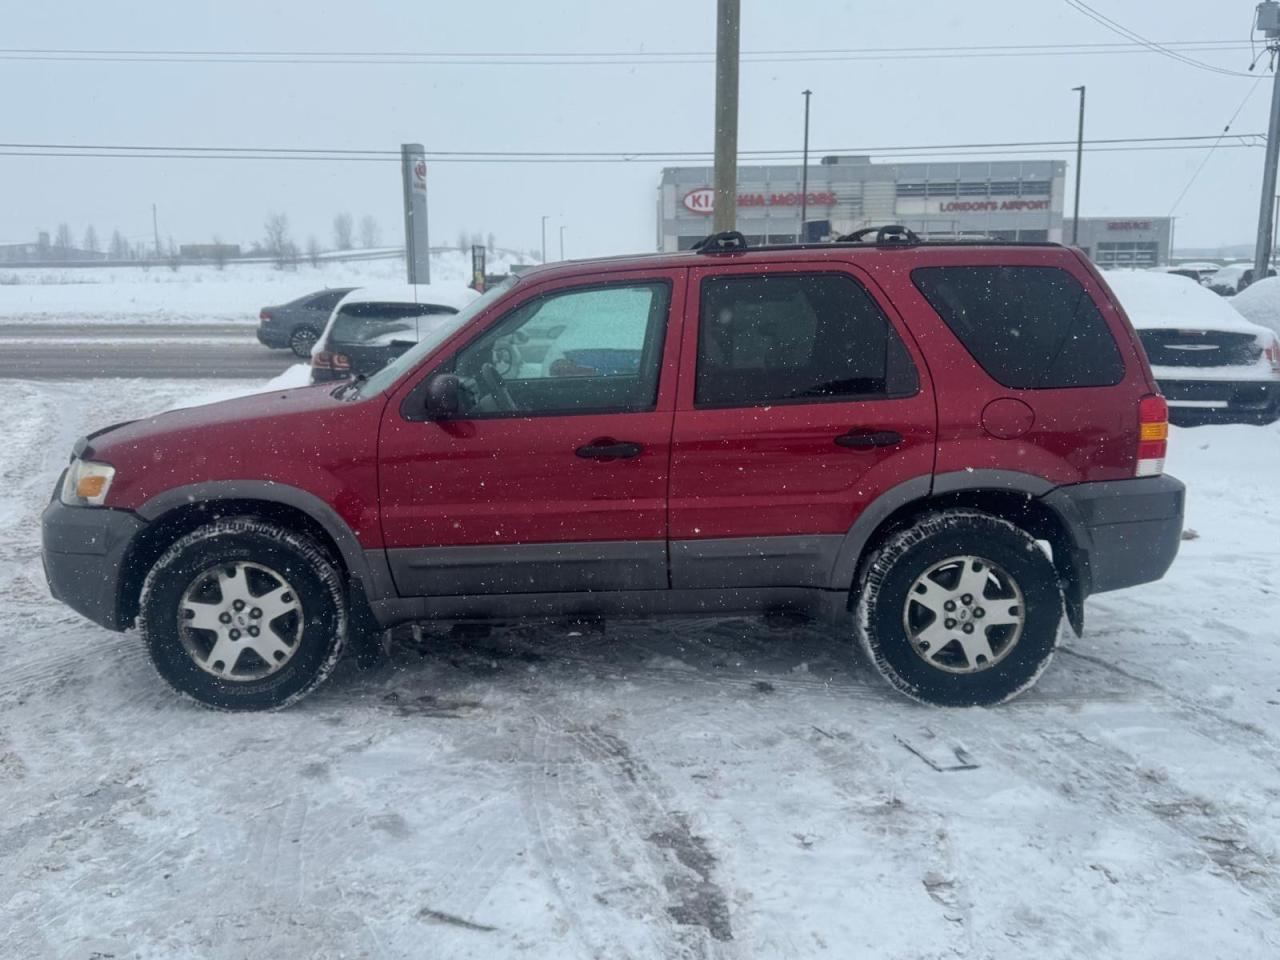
x=1028, y=327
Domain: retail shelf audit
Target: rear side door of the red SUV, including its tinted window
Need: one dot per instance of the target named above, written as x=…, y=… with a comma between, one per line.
x=802, y=400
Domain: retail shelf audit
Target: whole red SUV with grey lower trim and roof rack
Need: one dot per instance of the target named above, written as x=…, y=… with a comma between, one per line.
x=943, y=449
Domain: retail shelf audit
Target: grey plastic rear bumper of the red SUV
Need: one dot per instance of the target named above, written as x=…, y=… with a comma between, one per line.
x=1126, y=532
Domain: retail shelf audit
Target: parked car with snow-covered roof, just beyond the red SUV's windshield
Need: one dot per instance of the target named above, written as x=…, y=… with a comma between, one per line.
x=373, y=326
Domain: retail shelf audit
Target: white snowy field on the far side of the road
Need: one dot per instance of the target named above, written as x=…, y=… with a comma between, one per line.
x=196, y=294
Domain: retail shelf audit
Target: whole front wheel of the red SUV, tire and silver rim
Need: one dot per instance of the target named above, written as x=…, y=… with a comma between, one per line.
x=244, y=615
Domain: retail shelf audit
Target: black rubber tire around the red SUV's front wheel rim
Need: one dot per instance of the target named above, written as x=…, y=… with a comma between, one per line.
x=322, y=619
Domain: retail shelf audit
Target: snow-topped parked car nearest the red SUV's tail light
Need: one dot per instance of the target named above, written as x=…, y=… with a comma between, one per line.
x=1213, y=365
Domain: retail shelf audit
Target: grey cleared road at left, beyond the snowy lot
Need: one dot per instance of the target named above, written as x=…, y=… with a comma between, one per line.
x=207, y=351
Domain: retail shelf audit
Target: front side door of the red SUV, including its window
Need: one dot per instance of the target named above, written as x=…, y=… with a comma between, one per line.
x=555, y=477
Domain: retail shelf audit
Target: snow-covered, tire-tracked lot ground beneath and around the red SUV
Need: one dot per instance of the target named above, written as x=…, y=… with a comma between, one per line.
x=678, y=789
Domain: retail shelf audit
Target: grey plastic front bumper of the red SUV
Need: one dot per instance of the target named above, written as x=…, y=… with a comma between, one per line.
x=84, y=554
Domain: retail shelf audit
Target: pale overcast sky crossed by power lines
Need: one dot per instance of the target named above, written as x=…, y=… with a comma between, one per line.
x=607, y=208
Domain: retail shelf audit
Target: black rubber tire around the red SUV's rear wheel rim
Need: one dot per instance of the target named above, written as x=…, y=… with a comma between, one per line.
x=893, y=572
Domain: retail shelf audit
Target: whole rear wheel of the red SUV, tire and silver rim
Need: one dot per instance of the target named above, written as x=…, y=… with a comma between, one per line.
x=962, y=610
